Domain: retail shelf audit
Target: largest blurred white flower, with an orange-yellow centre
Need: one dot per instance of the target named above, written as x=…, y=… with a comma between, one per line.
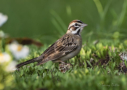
x=18, y=50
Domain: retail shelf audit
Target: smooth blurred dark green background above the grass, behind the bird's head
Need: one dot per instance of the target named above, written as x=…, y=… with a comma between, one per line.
x=47, y=20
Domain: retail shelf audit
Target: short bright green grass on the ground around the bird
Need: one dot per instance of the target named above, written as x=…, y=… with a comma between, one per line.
x=83, y=74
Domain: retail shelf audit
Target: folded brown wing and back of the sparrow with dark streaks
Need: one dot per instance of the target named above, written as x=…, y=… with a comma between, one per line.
x=60, y=48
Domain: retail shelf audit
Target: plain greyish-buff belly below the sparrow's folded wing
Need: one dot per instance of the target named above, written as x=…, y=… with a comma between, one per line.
x=70, y=55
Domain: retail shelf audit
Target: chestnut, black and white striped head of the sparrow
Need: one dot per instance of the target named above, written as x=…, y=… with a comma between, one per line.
x=75, y=27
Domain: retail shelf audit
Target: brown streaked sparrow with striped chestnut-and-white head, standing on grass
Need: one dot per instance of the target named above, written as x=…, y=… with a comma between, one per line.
x=65, y=48
